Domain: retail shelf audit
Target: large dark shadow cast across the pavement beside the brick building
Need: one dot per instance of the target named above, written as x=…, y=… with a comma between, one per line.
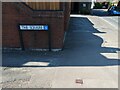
x=82, y=48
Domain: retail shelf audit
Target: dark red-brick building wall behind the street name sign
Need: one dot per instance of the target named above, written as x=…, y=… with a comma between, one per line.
x=18, y=13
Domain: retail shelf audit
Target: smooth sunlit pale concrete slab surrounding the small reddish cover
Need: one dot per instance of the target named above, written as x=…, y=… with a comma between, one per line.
x=93, y=77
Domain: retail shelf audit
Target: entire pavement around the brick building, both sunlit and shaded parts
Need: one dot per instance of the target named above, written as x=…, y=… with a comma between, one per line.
x=89, y=59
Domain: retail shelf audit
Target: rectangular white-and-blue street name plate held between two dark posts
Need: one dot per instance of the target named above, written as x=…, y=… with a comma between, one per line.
x=33, y=27
